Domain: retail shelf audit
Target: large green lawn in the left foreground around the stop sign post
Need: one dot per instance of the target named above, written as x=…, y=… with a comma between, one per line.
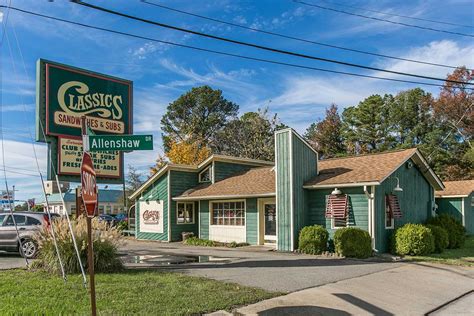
x=130, y=292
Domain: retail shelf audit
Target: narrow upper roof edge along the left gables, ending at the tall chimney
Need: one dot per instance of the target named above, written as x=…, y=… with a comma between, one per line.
x=196, y=168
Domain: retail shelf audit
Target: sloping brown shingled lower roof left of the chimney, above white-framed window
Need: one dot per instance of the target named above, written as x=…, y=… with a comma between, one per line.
x=259, y=181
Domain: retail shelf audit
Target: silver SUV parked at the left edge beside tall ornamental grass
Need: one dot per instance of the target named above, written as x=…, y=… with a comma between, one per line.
x=27, y=223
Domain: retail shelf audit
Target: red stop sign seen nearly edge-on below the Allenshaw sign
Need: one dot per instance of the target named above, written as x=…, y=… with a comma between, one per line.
x=89, y=184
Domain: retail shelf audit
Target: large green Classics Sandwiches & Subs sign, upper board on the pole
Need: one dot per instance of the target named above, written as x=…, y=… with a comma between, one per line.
x=67, y=93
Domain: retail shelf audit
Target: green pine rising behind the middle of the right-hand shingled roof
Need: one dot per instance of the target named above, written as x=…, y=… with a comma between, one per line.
x=366, y=127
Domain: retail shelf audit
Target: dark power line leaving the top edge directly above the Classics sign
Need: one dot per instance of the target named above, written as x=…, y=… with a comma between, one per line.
x=275, y=50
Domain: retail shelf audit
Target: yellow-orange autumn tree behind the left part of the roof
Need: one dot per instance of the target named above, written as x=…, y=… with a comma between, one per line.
x=187, y=153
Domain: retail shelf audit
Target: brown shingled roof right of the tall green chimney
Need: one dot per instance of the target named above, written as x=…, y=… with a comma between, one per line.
x=370, y=169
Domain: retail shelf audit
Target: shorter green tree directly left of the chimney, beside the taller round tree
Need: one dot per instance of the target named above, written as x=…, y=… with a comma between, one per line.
x=250, y=136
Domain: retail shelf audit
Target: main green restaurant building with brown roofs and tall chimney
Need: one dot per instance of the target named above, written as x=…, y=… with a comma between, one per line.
x=244, y=200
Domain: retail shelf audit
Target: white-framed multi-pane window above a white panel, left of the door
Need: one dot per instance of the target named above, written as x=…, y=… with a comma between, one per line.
x=228, y=213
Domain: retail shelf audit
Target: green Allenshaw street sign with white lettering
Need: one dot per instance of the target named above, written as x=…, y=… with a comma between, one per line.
x=120, y=142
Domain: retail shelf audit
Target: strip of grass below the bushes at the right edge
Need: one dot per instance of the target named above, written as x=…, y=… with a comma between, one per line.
x=461, y=257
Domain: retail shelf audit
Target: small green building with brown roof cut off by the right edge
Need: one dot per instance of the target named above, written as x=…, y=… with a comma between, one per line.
x=457, y=199
